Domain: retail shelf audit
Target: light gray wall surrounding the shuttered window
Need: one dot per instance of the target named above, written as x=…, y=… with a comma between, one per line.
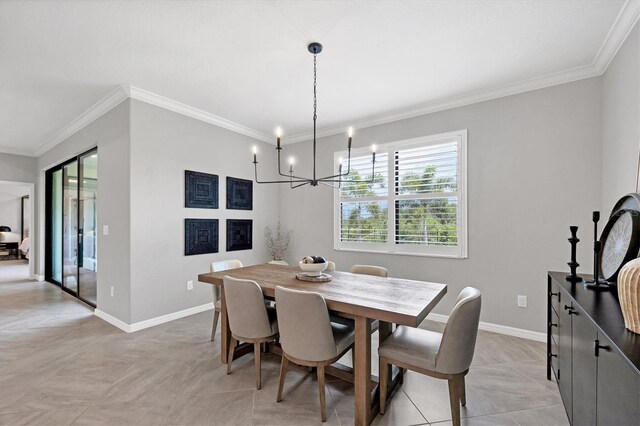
x=533, y=169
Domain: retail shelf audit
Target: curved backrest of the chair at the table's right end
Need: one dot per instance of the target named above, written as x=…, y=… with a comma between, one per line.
x=459, y=337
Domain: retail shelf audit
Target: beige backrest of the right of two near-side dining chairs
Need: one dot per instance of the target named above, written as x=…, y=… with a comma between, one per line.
x=305, y=328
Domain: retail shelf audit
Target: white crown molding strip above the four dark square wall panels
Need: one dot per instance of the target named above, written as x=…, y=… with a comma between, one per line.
x=198, y=114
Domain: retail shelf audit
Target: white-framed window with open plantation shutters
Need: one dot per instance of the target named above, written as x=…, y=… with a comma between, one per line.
x=414, y=203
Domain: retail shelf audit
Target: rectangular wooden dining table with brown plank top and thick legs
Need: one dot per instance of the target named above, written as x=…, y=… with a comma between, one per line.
x=361, y=298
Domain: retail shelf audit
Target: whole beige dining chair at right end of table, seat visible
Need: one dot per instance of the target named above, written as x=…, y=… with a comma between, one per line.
x=446, y=355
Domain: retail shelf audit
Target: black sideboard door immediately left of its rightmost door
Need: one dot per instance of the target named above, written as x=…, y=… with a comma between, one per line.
x=584, y=335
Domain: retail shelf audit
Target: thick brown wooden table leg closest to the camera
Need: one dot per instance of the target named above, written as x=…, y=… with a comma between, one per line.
x=362, y=372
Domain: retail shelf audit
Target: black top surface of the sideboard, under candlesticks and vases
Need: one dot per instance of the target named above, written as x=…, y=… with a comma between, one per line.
x=603, y=308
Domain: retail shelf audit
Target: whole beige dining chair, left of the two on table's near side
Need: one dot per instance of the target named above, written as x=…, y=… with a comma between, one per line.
x=250, y=320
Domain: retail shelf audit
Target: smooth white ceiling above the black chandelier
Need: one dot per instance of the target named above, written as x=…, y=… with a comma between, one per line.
x=247, y=61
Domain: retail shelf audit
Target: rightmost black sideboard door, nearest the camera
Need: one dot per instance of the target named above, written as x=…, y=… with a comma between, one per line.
x=618, y=399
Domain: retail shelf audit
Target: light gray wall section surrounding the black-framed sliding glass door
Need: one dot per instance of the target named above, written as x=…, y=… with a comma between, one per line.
x=110, y=133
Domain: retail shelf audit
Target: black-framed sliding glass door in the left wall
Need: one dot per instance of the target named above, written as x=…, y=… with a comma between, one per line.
x=71, y=204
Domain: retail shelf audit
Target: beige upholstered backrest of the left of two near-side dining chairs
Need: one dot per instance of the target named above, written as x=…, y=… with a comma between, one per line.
x=245, y=306
